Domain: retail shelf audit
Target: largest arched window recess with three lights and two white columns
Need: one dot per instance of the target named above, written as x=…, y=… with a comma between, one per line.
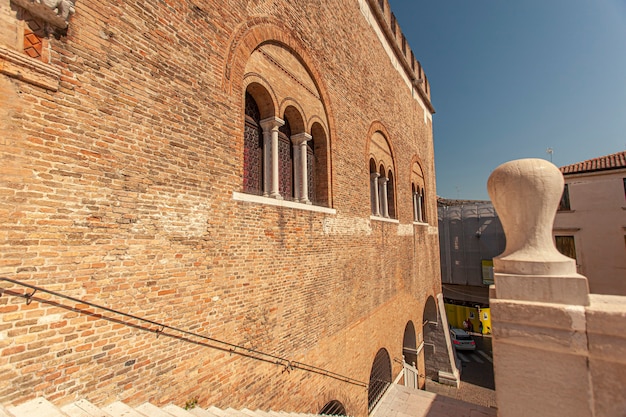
x=293, y=161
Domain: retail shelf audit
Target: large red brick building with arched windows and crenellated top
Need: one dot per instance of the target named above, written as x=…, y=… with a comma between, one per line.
x=258, y=173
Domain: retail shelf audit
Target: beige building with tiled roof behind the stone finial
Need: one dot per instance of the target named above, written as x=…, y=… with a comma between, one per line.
x=590, y=224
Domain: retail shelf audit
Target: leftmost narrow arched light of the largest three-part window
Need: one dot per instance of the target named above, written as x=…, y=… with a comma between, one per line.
x=252, y=149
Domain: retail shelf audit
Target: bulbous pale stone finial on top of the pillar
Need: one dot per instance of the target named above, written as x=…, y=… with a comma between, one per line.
x=526, y=194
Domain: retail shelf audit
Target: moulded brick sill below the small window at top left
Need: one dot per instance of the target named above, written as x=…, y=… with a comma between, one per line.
x=20, y=66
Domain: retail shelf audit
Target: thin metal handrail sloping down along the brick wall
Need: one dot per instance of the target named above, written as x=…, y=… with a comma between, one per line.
x=160, y=329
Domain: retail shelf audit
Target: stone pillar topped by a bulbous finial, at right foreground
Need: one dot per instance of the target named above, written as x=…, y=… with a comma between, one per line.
x=538, y=301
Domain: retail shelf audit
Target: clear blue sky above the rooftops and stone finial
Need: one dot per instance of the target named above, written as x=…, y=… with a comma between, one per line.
x=510, y=79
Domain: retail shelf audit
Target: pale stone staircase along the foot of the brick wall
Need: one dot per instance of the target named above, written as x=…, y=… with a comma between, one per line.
x=40, y=407
